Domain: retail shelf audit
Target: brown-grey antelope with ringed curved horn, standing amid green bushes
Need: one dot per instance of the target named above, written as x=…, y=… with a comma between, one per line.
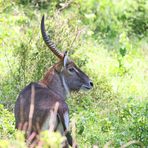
x=59, y=81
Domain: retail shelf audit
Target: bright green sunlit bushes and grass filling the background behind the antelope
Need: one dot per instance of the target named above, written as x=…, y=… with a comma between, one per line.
x=108, y=39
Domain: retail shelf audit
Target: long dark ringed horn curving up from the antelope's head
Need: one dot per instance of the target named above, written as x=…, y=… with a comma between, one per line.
x=48, y=42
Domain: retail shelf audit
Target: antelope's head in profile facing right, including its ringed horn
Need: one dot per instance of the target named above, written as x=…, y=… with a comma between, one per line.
x=72, y=78
